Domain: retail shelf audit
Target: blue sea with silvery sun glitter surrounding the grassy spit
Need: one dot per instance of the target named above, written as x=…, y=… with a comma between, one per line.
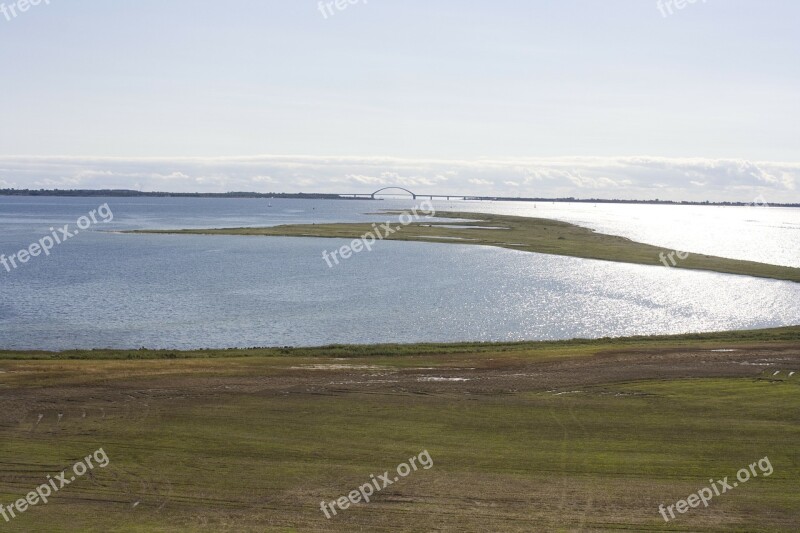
x=104, y=289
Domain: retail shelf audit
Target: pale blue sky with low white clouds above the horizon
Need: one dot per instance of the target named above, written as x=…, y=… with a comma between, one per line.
x=631, y=99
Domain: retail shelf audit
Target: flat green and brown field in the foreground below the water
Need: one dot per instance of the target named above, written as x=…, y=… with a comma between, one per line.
x=556, y=436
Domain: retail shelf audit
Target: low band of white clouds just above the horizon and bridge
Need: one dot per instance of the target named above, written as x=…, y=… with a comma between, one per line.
x=600, y=177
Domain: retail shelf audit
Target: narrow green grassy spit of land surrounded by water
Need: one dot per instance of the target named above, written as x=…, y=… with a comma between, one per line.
x=518, y=233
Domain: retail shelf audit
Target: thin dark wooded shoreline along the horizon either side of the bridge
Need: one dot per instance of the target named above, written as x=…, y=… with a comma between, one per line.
x=124, y=193
